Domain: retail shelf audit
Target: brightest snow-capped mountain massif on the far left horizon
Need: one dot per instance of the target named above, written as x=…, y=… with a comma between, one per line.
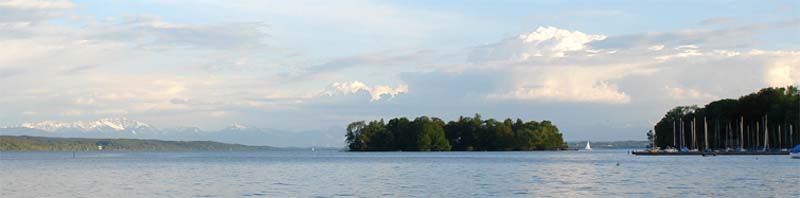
x=101, y=125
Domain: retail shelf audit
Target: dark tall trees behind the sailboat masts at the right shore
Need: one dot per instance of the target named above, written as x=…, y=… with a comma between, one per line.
x=767, y=119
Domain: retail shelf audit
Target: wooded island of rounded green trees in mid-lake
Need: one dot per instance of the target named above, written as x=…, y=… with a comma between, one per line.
x=465, y=134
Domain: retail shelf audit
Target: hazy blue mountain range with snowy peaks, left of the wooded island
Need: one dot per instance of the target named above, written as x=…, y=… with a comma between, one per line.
x=126, y=128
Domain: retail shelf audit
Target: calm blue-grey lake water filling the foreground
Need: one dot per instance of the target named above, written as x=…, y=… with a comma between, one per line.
x=393, y=174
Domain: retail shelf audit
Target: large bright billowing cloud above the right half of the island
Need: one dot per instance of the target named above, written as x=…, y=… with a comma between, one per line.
x=557, y=65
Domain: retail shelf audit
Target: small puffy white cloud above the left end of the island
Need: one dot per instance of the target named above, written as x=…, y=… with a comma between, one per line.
x=375, y=92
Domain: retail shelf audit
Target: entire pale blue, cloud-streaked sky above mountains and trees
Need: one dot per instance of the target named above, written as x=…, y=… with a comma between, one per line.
x=600, y=70
